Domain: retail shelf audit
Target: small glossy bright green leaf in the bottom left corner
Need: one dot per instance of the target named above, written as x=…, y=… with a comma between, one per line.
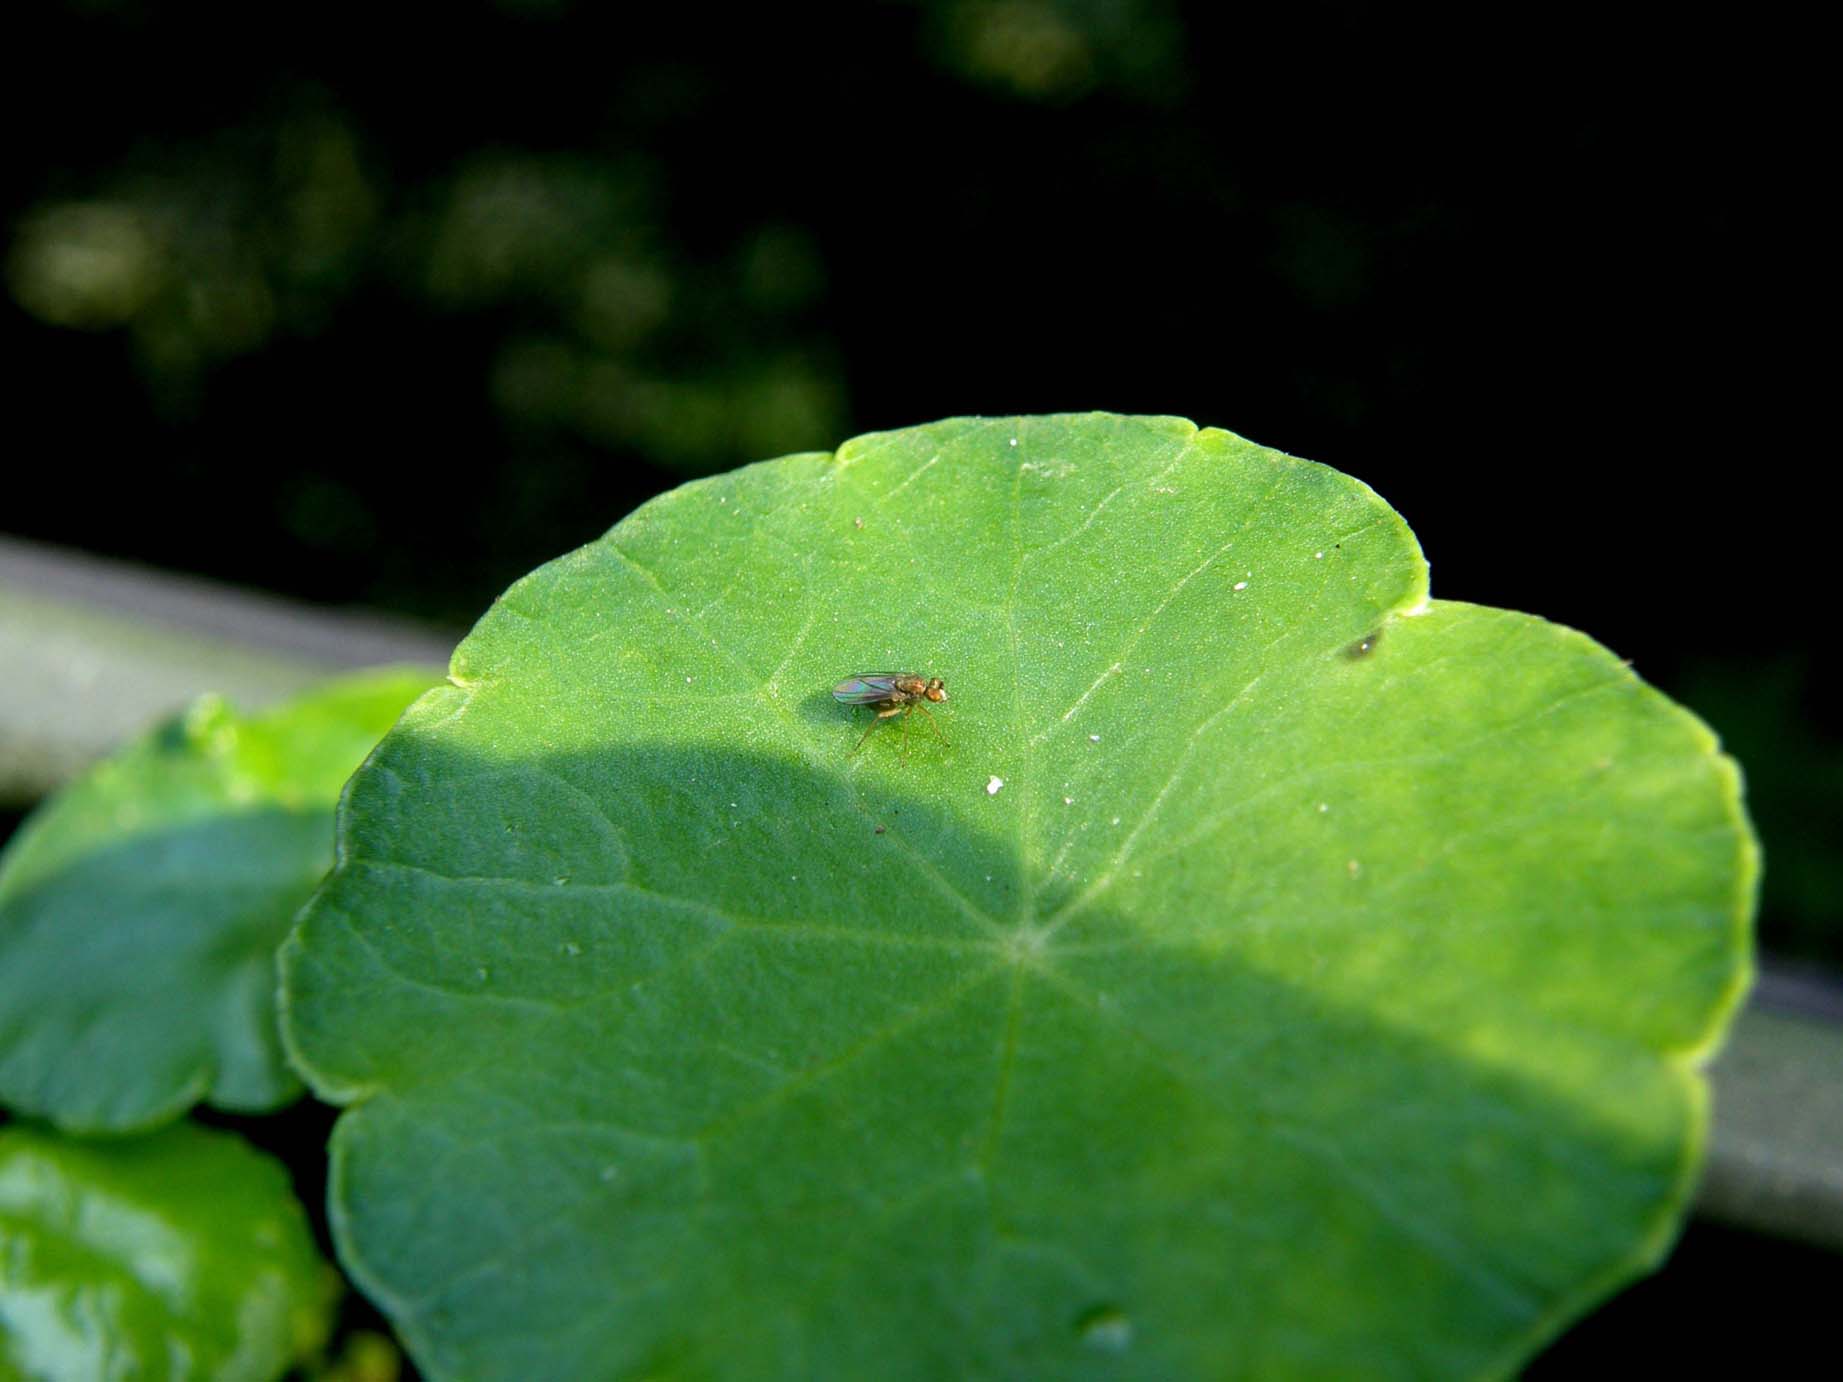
x=174, y=1256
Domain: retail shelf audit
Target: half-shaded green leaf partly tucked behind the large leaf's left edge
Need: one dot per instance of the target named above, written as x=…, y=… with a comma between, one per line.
x=143, y=906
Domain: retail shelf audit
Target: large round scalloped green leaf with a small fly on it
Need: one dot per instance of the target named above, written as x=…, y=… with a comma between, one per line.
x=1274, y=974
